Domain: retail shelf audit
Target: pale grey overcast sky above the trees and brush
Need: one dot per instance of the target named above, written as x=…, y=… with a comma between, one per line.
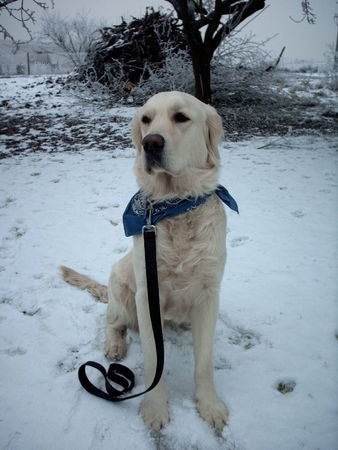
x=302, y=41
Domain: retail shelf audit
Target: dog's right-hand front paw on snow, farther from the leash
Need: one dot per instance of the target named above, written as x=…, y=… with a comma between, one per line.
x=213, y=410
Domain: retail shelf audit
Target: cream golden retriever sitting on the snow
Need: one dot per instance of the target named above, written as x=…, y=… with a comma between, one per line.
x=176, y=137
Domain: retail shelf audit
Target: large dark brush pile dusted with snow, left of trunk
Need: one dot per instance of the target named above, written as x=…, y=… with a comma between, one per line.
x=124, y=53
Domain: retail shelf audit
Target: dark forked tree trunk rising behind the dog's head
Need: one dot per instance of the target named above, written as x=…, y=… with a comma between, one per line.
x=218, y=18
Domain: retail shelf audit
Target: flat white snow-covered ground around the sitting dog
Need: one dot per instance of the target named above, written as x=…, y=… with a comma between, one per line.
x=277, y=334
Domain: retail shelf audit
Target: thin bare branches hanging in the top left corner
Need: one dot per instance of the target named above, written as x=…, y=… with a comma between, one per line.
x=18, y=11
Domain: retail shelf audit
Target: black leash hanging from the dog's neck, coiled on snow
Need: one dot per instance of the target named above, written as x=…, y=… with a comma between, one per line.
x=118, y=373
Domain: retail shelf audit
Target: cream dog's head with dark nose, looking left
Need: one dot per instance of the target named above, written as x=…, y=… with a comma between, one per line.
x=176, y=136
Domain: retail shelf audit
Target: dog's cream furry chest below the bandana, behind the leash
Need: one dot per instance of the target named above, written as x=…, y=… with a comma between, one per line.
x=190, y=258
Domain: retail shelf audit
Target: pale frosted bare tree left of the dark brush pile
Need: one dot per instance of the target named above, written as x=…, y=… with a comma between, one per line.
x=72, y=36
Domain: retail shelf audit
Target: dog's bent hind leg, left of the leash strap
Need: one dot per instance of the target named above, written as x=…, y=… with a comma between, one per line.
x=121, y=311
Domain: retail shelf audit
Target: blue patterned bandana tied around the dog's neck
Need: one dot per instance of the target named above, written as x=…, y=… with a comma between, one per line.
x=135, y=215
